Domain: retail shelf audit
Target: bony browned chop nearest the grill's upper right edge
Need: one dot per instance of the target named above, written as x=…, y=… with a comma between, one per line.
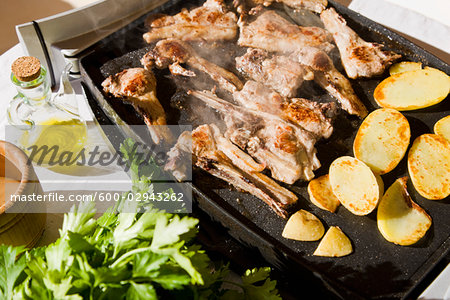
x=359, y=58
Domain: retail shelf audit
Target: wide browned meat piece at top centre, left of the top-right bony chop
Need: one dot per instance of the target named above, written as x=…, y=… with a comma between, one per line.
x=271, y=32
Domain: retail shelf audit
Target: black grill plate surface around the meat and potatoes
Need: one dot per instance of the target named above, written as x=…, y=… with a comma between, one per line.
x=377, y=268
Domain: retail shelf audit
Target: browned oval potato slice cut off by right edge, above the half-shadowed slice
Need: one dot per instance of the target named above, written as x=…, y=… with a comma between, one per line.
x=429, y=166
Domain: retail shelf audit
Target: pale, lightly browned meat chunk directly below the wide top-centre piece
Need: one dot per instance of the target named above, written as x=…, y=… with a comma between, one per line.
x=277, y=72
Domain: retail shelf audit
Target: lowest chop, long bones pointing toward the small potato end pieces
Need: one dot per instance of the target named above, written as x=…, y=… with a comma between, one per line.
x=210, y=151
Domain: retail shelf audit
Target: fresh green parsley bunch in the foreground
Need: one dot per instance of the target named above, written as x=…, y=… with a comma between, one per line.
x=141, y=255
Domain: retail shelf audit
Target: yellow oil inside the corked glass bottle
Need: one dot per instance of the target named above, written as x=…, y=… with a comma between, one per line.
x=55, y=142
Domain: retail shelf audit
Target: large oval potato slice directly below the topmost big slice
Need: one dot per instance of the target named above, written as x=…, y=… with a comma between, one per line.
x=382, y=140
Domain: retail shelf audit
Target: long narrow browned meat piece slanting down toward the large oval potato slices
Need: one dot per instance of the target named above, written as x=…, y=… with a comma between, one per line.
x=329, y=78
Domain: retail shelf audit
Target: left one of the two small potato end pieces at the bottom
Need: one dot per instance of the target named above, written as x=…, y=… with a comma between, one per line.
x=303, y=226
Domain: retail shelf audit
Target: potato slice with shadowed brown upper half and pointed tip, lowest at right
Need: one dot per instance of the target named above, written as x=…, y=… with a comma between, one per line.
x=400, y=220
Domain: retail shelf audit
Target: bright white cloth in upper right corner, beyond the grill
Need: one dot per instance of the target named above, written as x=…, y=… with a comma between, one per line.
x=428, y=21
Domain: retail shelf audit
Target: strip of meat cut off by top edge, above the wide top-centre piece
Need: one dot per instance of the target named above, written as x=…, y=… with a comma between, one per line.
x=317, y=6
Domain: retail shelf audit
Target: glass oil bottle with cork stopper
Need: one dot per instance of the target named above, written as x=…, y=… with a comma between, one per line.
x=38, y=119
